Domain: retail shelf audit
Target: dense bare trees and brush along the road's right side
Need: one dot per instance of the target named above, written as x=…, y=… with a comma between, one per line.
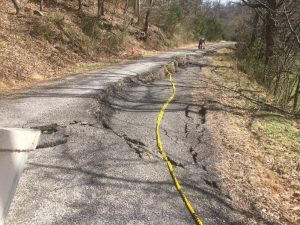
x=268, y=47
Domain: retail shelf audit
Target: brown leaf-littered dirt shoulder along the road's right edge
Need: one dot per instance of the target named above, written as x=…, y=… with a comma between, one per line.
x=256, y=186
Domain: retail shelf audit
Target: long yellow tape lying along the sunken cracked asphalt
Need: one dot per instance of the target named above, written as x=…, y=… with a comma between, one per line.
x=165, y=157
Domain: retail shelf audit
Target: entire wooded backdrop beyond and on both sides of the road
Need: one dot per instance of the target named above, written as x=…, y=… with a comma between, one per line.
x=41, y=38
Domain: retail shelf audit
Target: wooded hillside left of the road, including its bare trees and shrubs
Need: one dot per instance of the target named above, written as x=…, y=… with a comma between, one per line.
x=43, y=38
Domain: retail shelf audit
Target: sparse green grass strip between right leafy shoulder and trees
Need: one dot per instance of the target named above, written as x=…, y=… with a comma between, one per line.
x=278, y=135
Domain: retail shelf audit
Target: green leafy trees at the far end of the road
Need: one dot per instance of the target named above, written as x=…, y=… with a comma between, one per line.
x=184, y=23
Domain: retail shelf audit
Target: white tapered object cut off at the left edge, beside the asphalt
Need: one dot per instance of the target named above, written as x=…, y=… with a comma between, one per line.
x=15, y=143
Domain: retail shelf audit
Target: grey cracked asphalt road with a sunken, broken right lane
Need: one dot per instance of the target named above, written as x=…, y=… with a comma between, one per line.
x=109, y=171
